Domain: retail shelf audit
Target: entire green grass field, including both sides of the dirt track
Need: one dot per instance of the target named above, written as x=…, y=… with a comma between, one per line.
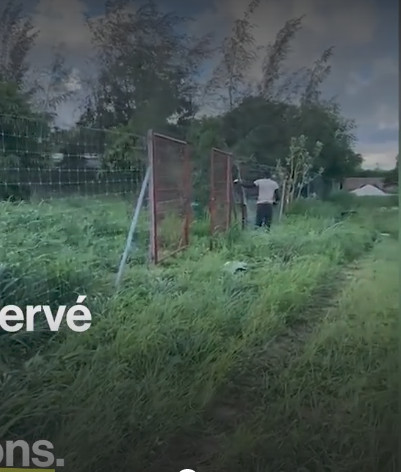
x=289, y=366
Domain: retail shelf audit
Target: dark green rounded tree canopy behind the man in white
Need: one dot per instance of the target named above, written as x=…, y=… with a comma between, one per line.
x=264, y=129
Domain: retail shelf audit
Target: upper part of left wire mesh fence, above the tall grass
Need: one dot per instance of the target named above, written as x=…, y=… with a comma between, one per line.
x=37, y=161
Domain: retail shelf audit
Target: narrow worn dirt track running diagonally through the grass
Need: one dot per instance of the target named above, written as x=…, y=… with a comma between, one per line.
x=229, y=435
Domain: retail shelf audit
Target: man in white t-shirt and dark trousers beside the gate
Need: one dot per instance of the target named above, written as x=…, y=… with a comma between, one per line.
x=268, y=195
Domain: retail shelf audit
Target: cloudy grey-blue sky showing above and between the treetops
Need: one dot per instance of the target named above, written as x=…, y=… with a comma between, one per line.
x=363, y=32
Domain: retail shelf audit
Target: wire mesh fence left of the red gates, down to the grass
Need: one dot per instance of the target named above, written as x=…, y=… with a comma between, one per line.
x=66, y=203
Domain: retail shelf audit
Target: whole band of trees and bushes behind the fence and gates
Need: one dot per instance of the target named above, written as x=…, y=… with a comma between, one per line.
x=151, y=78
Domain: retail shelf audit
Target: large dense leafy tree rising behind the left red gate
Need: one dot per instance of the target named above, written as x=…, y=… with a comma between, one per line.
x=147, y=66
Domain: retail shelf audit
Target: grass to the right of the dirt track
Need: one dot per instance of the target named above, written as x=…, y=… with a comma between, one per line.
x=334, y=406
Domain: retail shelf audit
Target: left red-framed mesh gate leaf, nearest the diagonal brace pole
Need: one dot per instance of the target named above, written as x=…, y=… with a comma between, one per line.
x=169, y=194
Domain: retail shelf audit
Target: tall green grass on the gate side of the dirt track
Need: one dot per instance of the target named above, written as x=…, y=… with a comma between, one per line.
x=160, y=350
